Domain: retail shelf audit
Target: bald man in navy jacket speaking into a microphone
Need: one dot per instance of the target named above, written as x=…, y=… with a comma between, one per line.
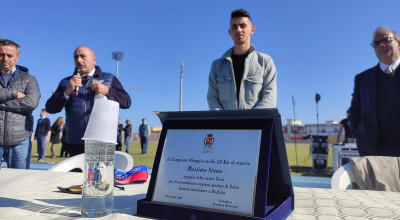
x=77, y=94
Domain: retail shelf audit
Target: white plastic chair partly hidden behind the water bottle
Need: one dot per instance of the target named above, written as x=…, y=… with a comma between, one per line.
x=123, y=161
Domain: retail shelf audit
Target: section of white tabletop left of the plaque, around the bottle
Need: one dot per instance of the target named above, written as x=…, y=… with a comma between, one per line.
x=33, y=194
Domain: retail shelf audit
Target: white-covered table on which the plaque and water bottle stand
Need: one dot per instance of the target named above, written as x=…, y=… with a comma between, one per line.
x=33, y=194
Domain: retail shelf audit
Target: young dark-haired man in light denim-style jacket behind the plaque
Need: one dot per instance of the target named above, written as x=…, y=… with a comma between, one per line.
x=242, y=78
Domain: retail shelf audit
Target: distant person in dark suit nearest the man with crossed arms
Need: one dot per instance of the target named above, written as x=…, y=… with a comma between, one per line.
x=42, y=129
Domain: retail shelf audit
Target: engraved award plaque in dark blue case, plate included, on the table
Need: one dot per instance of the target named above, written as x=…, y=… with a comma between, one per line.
x=220, y=165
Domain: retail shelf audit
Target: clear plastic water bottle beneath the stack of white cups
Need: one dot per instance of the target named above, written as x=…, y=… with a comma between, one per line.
x=97, y=191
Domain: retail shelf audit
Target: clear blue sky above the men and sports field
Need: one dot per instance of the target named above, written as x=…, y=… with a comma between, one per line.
x=318, y=47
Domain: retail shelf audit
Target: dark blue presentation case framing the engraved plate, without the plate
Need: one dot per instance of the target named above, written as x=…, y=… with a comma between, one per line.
x=274, y=198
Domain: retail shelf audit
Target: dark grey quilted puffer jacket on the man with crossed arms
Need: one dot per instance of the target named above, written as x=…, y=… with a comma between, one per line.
x=16, y=119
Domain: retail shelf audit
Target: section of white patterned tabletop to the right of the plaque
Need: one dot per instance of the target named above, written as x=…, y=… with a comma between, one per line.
x=321, y=204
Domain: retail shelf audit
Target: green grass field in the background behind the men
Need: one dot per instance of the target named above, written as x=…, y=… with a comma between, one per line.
x=300, y=167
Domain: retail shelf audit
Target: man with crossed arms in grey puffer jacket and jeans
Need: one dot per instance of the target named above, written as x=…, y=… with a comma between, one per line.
x=19, y=96
